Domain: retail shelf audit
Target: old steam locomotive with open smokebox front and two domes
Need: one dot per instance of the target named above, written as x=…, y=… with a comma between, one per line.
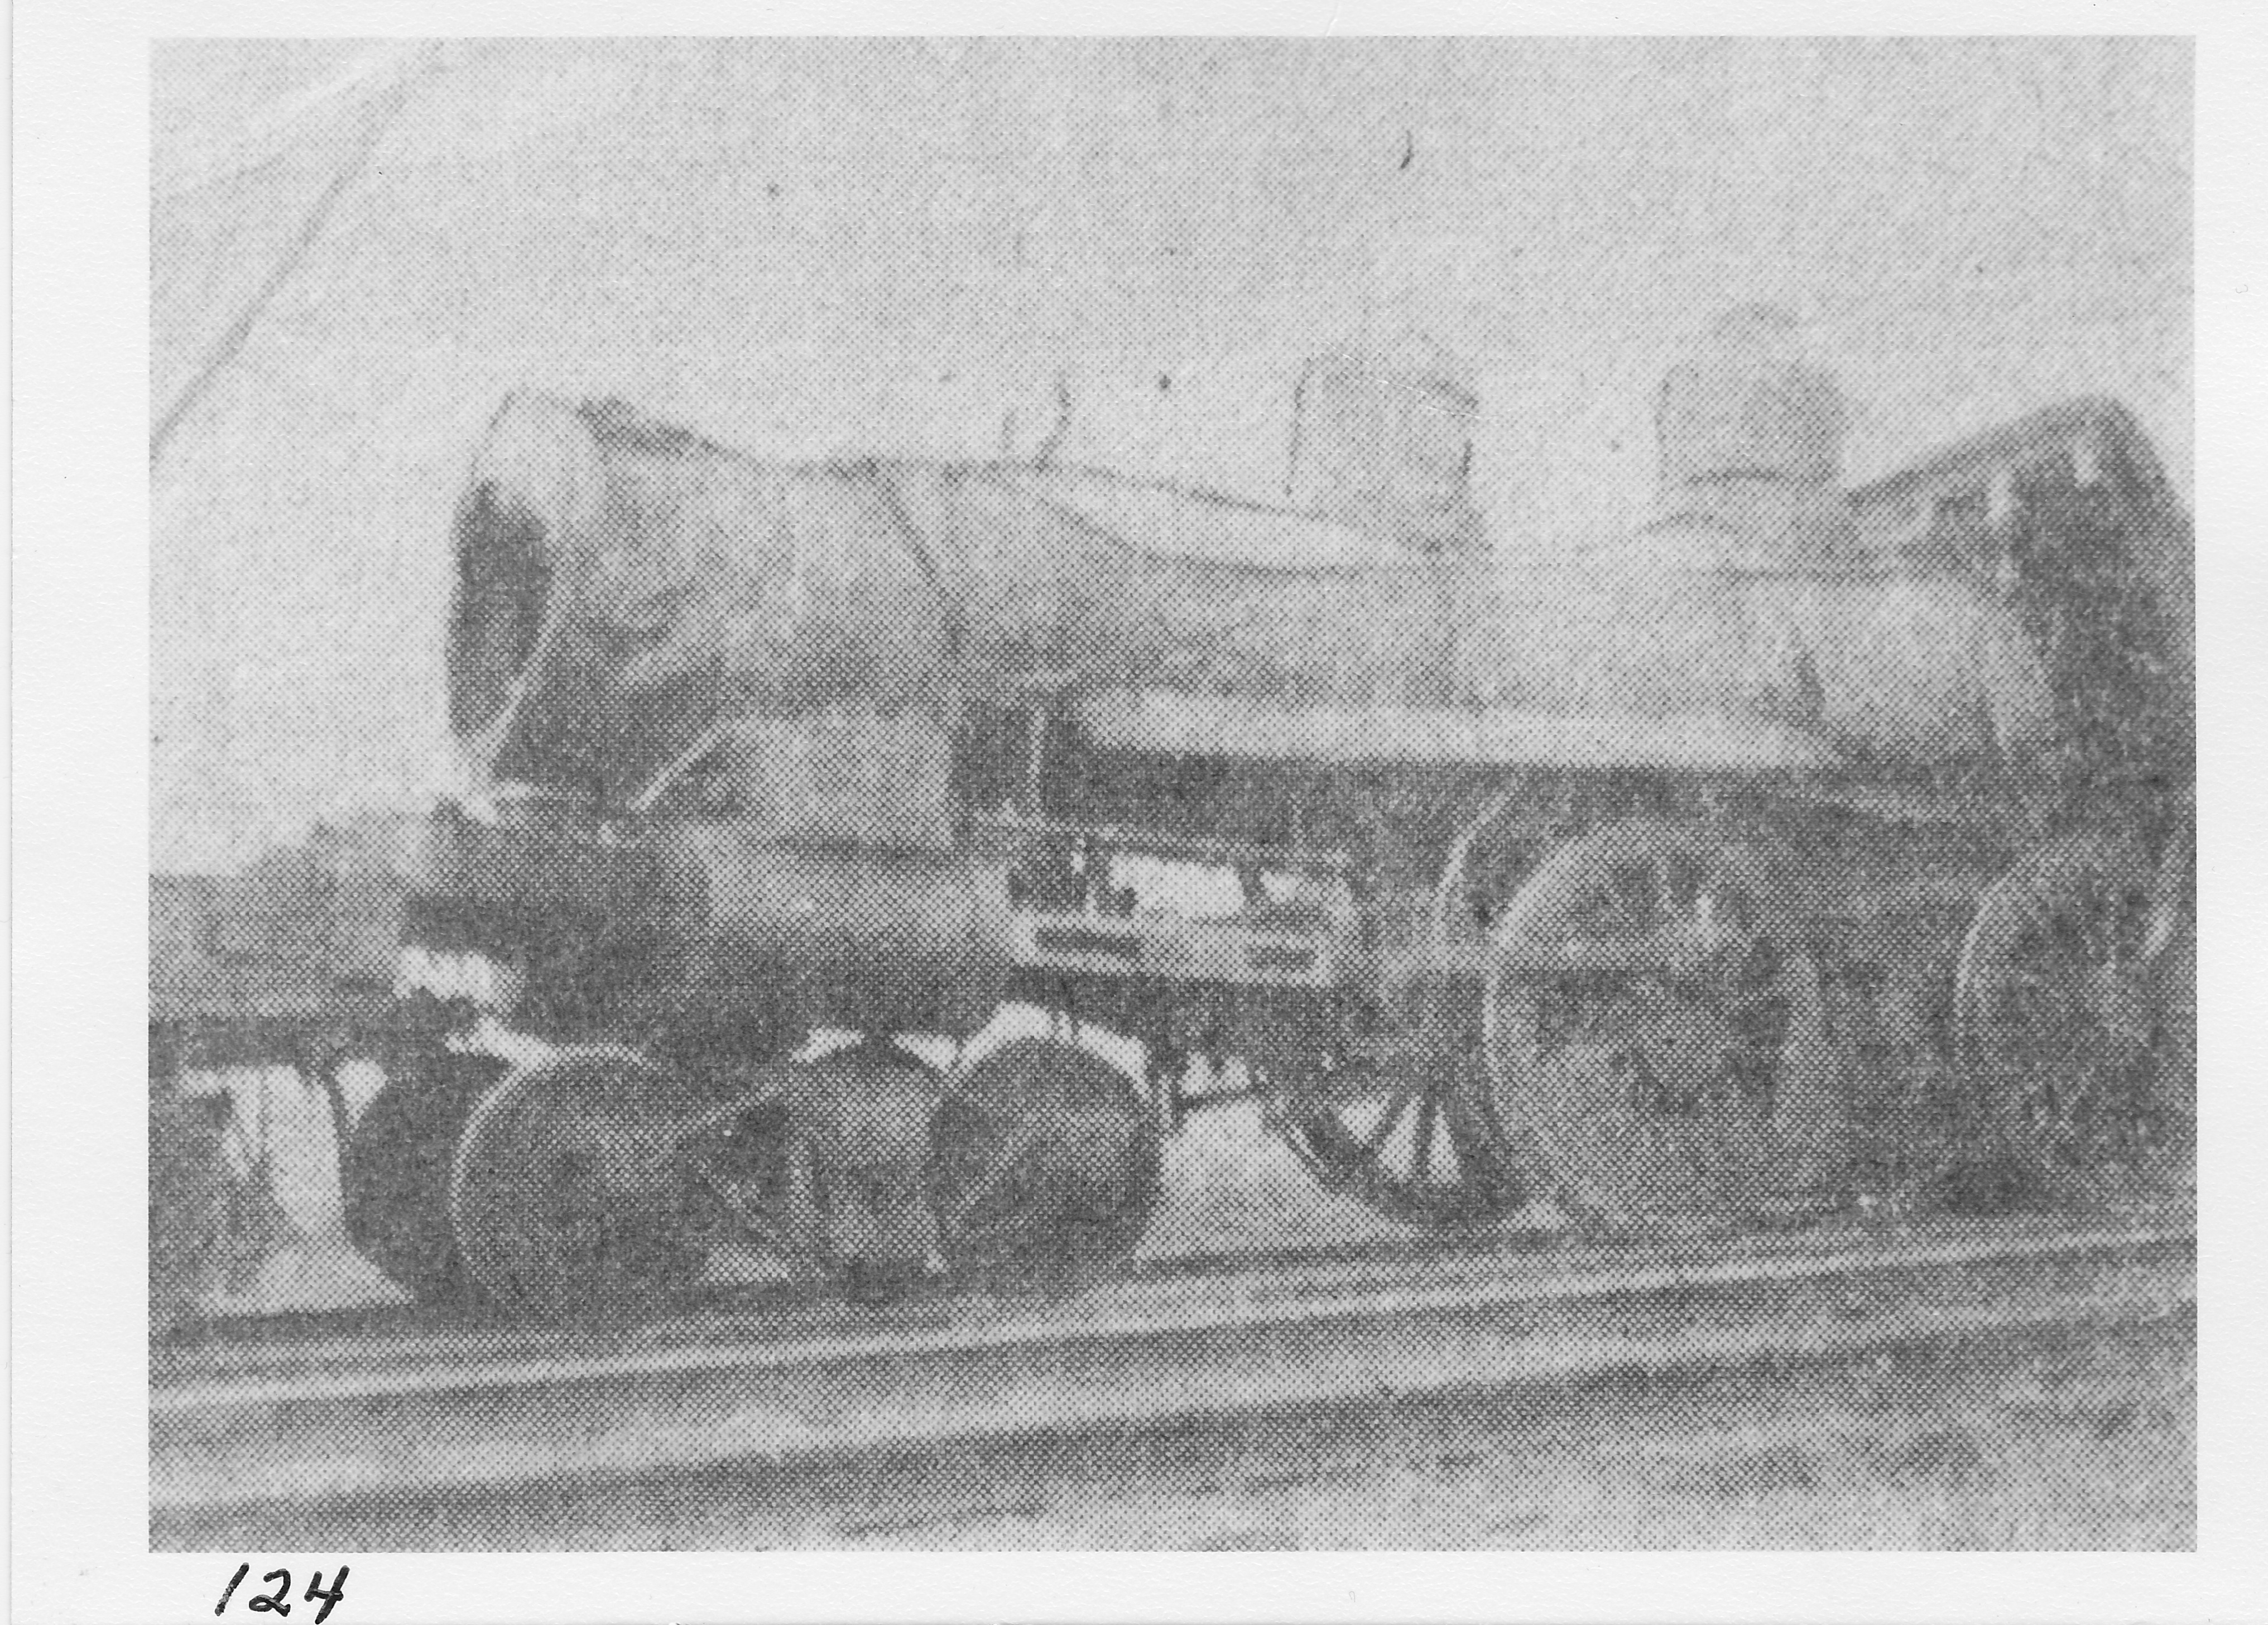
x=1668, y=878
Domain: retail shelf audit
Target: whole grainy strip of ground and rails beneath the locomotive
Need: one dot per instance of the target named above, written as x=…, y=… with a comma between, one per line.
x=1997, y=1386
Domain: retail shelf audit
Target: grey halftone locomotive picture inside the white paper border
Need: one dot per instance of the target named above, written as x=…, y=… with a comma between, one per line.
x=1174, y=794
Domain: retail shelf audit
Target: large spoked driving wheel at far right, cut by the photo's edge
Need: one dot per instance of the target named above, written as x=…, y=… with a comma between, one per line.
x=2076, y=1016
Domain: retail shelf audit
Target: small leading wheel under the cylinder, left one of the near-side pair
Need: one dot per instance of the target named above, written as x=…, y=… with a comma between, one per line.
x=573, y=1191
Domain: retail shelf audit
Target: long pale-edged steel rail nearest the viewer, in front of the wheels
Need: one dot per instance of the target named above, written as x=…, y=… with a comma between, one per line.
x=289, y=1452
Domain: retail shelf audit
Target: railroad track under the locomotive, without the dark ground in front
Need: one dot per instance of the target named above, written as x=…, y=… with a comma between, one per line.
x=310, y=1440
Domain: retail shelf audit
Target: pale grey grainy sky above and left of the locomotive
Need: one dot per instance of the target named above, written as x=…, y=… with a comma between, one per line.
x=902, y=248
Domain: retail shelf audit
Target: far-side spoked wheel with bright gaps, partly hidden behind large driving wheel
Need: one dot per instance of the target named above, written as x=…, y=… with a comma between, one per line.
x=1398, y=1132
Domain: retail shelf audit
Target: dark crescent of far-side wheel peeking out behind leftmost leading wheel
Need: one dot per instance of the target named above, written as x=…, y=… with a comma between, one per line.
x=396, y=1166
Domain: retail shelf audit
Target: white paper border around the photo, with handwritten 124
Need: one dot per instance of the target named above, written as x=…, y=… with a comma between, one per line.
x=81, y=844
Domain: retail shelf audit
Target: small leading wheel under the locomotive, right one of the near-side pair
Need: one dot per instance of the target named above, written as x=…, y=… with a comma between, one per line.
x=1044, y=1159
